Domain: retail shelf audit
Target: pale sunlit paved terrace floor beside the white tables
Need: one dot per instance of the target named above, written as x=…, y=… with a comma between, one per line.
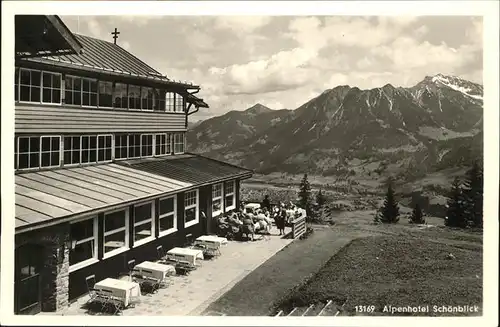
x=191, y=294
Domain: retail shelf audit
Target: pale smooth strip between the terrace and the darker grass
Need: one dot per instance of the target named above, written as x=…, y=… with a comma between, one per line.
x=255, y=294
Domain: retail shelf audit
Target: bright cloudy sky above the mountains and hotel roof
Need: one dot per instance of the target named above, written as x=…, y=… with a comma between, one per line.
x=284, y=61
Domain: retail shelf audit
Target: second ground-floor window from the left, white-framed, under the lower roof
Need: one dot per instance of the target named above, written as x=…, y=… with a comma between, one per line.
x=115, y=231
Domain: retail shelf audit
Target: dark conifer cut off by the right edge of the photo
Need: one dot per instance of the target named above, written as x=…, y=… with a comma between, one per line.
x=473, y=193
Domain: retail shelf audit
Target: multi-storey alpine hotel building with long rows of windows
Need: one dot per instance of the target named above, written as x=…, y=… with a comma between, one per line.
x=102, y=173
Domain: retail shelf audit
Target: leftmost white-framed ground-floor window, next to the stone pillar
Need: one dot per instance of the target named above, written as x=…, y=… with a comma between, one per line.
x=83, y=235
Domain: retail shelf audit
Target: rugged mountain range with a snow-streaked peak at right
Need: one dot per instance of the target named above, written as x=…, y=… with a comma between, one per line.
x=403, y=132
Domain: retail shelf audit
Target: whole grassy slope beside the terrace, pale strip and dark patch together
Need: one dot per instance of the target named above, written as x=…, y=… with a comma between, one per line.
x=412, y=269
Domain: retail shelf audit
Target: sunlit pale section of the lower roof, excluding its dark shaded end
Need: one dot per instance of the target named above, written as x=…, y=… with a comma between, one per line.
x=45, y=197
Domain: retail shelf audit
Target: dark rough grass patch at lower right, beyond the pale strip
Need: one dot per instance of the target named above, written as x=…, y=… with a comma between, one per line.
x=397, y=271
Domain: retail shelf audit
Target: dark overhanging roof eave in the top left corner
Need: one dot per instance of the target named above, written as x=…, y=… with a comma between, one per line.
x=43, y=35
